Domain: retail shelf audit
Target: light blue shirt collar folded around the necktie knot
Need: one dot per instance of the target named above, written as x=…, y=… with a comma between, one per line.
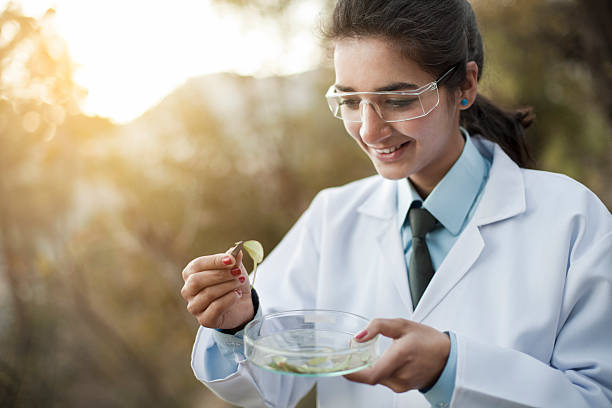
x=460, y=186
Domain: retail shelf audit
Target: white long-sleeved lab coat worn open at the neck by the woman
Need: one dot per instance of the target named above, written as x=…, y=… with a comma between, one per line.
x=527, y=288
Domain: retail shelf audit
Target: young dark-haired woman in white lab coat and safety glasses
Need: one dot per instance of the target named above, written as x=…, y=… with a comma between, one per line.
x=491, y=284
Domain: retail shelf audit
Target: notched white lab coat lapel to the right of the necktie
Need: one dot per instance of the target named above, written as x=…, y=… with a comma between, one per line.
x=503, y=197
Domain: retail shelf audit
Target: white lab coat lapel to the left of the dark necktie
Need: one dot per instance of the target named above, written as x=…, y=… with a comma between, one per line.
x=381, y=207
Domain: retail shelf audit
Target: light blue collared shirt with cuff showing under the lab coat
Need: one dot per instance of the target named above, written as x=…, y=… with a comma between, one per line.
x=453, y=202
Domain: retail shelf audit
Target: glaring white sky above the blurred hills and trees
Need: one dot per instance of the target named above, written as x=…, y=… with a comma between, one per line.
x=132, y=53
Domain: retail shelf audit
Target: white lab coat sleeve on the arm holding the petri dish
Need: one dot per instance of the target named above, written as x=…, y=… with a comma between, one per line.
x=579, y=373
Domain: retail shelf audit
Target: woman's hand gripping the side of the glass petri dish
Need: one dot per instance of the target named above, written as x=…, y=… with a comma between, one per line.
x=414, y=360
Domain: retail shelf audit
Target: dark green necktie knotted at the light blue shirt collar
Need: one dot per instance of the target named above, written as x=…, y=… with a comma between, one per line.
x=420, y=269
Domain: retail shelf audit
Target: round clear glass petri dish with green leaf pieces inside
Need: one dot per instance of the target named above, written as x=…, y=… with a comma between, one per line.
x=311, y=343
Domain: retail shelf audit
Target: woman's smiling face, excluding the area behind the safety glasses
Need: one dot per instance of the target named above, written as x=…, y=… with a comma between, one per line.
x=427, y=147
